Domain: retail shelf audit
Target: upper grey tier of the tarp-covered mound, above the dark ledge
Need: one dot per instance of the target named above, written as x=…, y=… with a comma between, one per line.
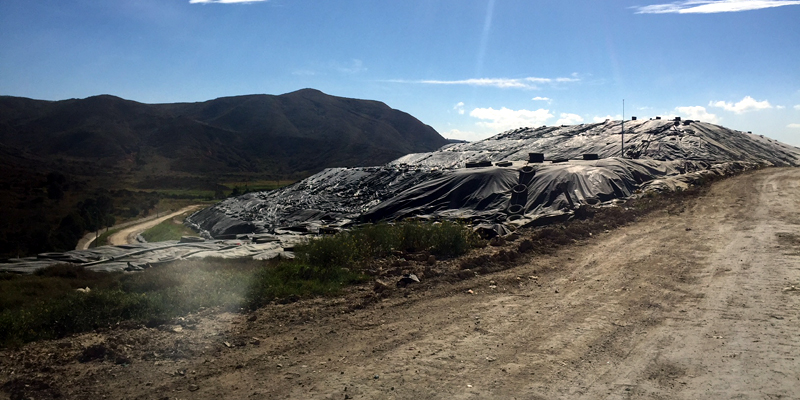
x=644, y=139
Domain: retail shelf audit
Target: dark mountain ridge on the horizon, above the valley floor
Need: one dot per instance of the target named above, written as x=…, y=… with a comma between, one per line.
x=302, y=131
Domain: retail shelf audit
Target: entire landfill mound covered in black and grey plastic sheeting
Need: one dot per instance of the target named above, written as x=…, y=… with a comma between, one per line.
x=522, y=177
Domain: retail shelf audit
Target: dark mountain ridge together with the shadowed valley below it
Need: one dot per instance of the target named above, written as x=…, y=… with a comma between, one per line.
x=60, y=159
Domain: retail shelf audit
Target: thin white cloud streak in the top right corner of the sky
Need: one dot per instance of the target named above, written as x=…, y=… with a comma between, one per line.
x=712, y=6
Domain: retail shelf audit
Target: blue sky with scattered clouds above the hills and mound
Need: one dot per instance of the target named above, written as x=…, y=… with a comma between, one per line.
x=470, y=69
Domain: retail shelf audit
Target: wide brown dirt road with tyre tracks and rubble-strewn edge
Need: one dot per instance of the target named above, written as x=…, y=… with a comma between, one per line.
x=687, y=304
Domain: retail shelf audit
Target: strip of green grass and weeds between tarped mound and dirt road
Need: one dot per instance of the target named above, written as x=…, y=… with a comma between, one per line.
x=47, y=305
